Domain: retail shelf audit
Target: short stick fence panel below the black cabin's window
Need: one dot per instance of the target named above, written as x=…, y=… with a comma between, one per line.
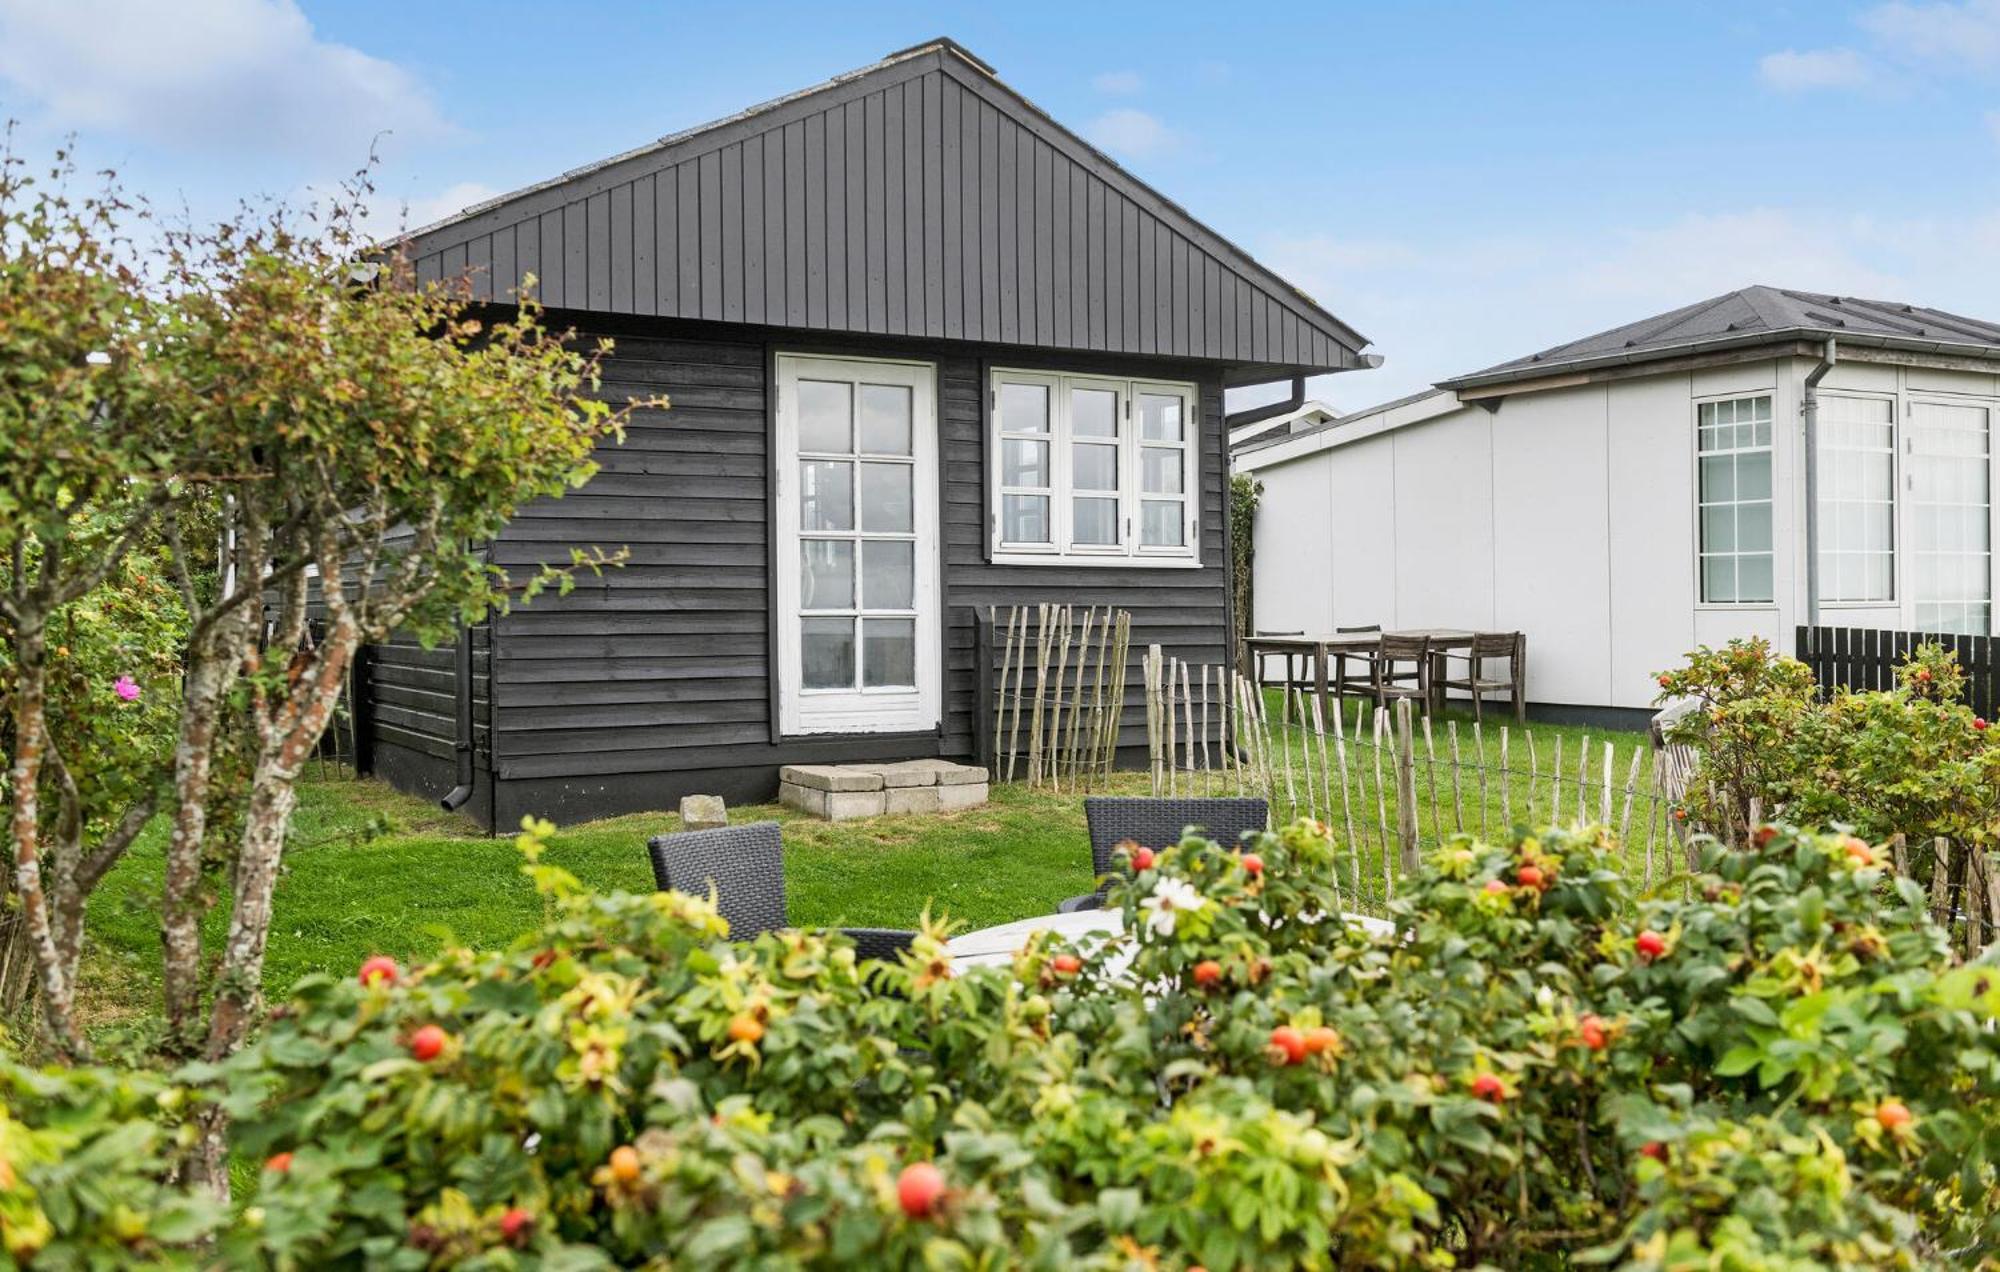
x=1063, y=673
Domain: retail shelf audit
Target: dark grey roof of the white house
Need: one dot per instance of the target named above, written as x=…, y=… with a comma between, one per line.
x=1751, y=317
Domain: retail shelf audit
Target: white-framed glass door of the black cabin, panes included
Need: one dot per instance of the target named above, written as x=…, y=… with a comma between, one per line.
x=857, y=457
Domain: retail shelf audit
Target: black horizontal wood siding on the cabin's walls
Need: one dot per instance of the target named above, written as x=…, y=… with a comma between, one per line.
x=663, y=667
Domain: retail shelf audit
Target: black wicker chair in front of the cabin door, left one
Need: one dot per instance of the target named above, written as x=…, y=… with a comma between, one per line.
x=747, y=869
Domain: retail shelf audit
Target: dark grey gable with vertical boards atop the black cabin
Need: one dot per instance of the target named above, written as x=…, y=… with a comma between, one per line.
x=917, y=197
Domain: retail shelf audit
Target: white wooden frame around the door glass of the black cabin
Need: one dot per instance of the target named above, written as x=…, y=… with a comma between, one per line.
x=859, y=711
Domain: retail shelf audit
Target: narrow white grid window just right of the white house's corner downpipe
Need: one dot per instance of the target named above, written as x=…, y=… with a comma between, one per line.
x=1857, y=499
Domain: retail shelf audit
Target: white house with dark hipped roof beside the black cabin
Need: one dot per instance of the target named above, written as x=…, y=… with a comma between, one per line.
x=1643, y=491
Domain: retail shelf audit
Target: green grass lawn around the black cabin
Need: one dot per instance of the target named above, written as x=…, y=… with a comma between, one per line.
x=373, y=871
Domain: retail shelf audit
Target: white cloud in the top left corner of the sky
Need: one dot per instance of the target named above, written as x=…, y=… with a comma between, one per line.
x=207, y=77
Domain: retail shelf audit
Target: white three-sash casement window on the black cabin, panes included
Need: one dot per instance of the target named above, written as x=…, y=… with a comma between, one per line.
x=1093, y=471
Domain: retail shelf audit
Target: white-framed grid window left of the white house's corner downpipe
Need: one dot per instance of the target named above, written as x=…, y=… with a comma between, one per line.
x=1733, y=455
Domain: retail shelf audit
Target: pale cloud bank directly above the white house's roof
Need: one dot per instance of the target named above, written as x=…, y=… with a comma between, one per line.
x=1439, y=309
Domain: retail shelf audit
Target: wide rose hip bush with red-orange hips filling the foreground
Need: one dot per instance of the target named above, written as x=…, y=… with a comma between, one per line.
x=1779, y=1069
